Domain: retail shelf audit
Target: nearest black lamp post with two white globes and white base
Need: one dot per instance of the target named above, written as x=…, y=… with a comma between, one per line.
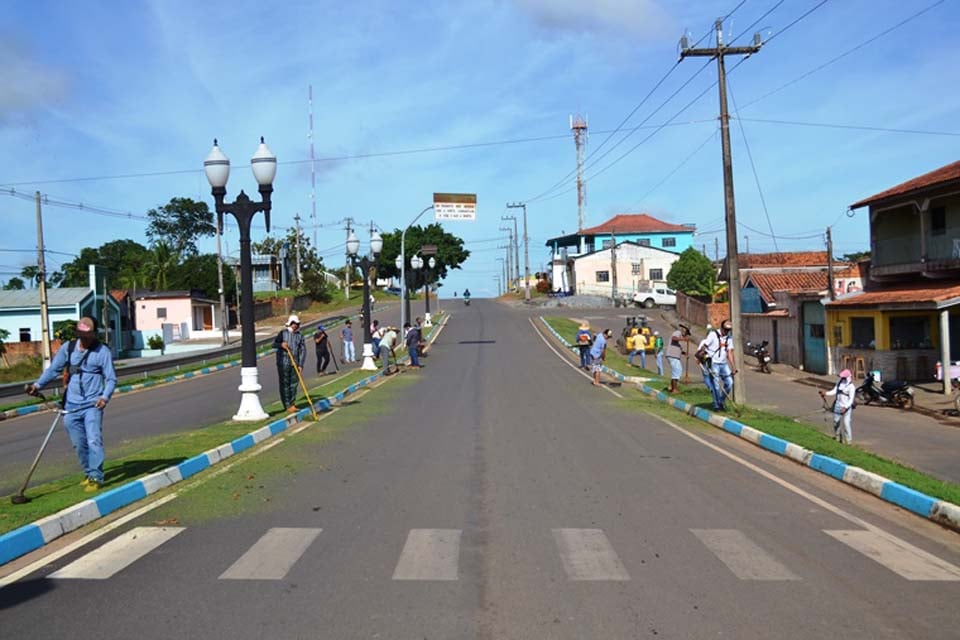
x=217, y=168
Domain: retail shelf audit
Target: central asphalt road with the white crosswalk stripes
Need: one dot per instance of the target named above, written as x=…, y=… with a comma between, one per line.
x=503, y=496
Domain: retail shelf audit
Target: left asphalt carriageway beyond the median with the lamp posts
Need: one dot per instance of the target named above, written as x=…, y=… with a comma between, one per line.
x=170, y=408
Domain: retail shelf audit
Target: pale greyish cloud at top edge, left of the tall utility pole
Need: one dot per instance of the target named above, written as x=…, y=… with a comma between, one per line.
x=644, y=18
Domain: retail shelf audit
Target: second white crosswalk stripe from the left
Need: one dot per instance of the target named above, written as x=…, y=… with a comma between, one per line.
x=271, y=557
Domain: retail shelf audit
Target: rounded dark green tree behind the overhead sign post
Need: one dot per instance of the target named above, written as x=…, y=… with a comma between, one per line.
x=450, y=253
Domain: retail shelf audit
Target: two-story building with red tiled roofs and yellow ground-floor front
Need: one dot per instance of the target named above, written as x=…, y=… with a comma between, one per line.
x=899, y=324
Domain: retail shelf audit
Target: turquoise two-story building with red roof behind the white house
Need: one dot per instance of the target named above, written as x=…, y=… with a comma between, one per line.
x=640, y=229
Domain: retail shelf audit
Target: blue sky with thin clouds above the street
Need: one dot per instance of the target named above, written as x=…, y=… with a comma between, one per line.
x=113, y=88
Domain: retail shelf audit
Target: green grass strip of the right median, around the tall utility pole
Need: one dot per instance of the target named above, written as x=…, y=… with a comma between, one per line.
x=804, y=434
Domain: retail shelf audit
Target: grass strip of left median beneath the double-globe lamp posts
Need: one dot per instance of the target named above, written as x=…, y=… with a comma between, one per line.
x=148, y=455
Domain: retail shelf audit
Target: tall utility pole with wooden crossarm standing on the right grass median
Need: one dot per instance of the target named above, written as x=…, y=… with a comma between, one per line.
x=733, y=268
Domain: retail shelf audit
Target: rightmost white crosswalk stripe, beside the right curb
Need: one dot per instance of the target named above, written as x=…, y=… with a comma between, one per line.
x=899, y=556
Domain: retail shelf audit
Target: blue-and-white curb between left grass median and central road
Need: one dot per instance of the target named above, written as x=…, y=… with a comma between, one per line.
x=33, y=536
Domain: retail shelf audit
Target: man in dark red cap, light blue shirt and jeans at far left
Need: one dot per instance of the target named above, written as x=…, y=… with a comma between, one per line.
x=91, y=380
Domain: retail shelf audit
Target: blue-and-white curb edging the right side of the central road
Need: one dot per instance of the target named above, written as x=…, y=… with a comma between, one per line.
x=940, y=511
